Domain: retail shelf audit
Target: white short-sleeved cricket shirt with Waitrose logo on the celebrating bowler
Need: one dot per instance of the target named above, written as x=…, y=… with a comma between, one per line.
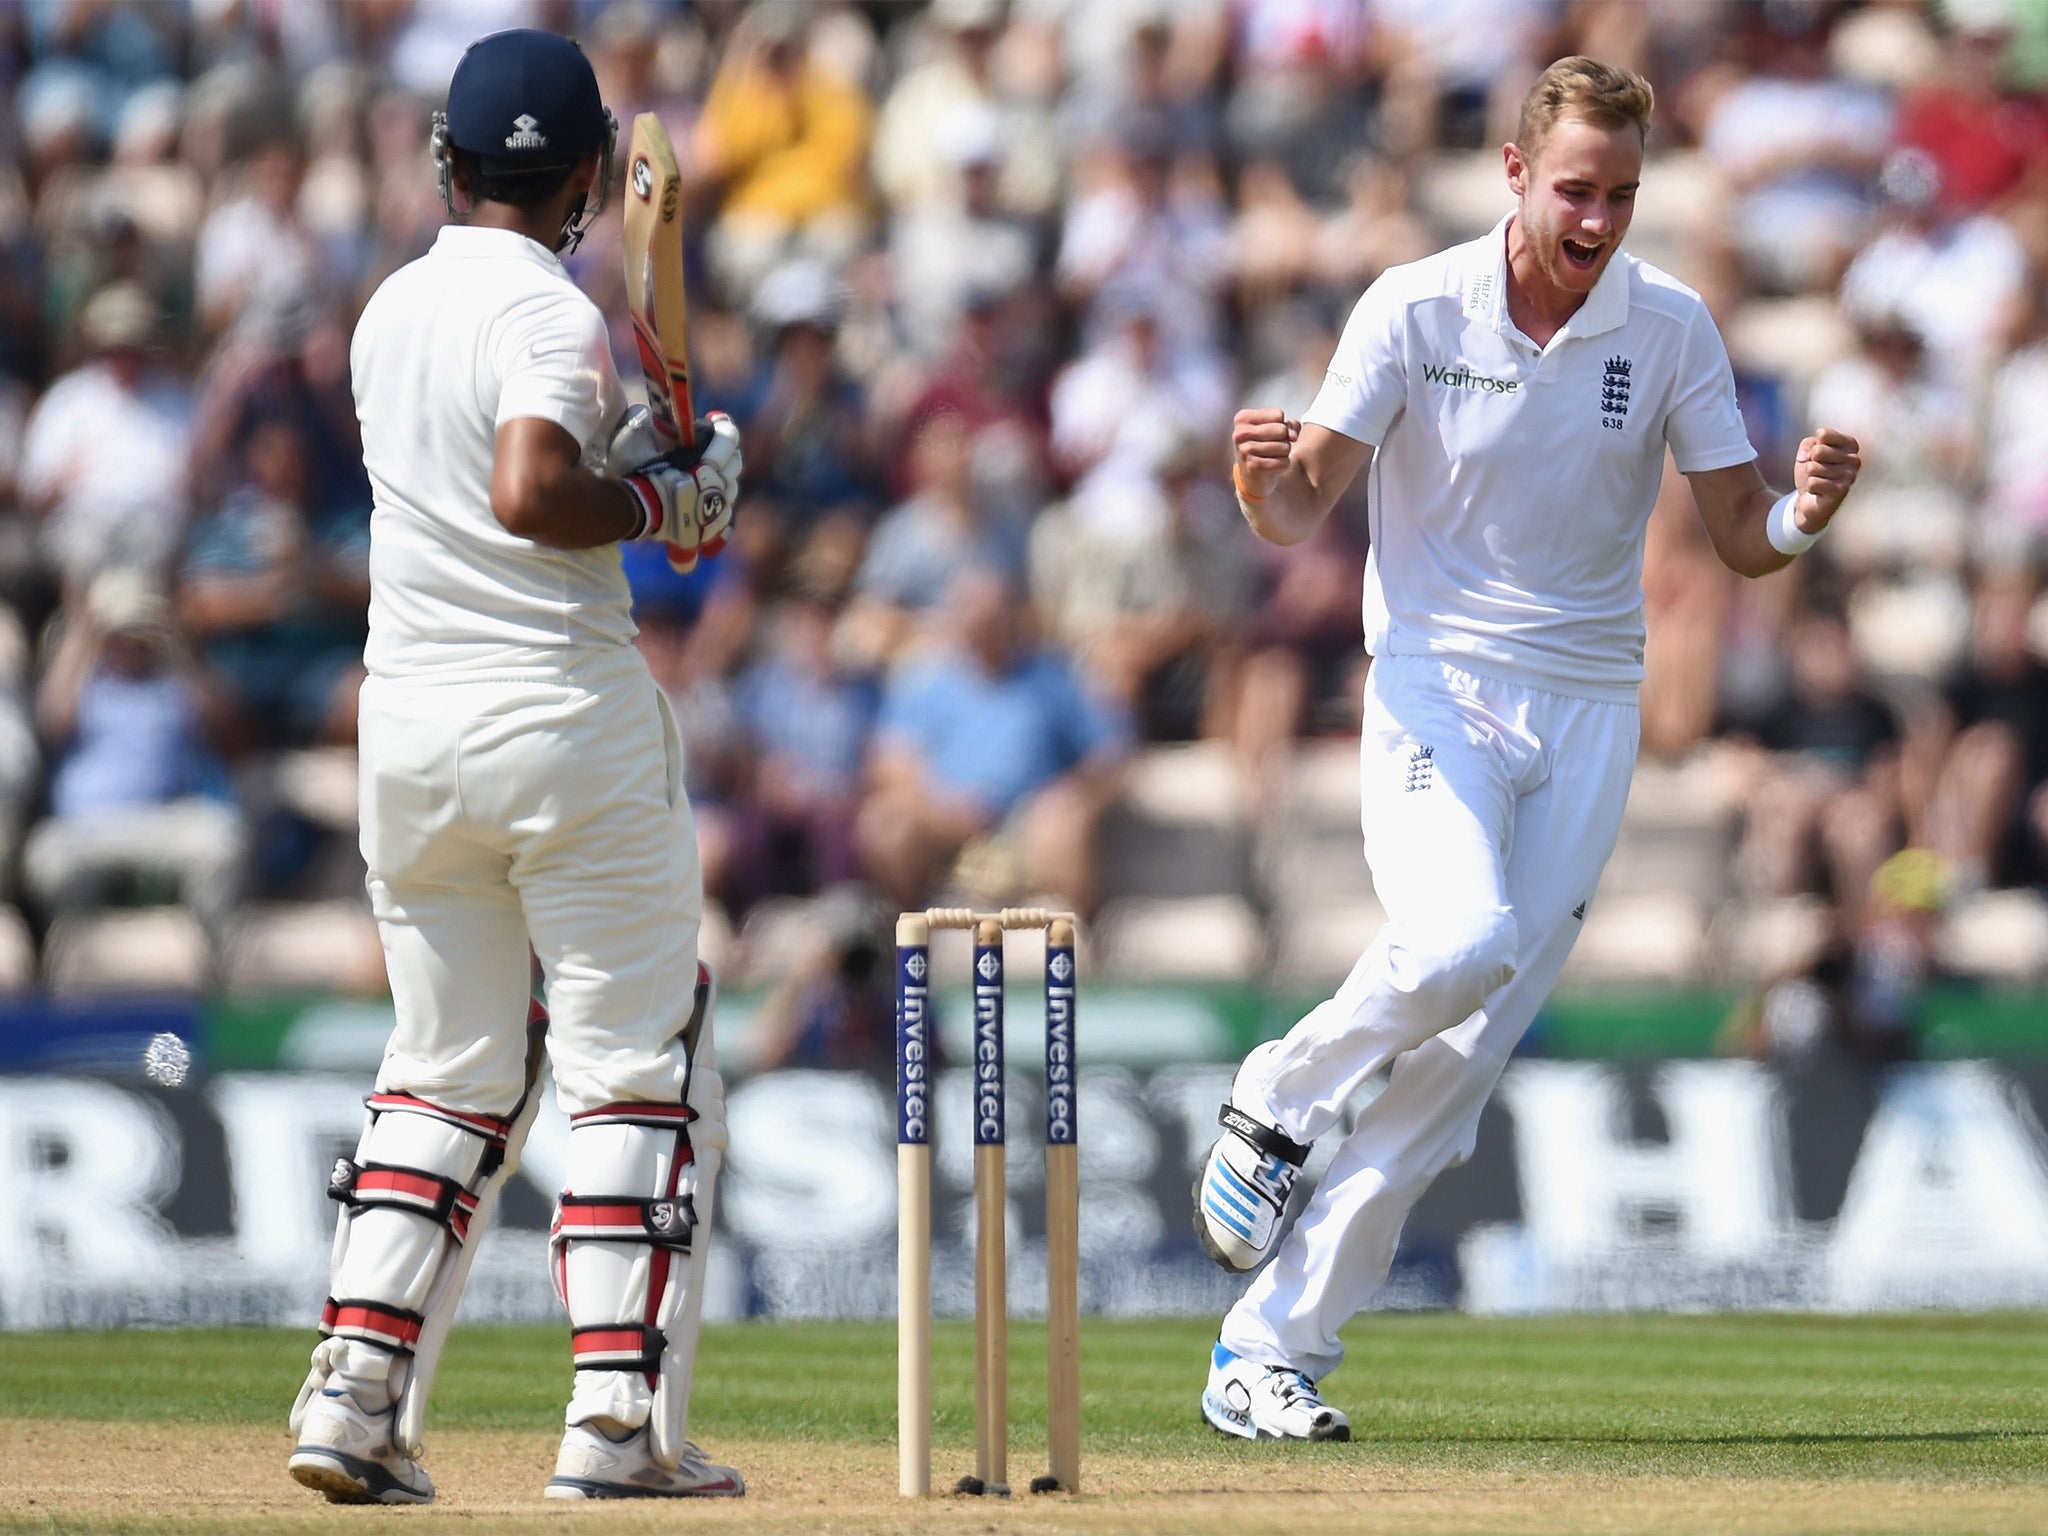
x=1514, y=482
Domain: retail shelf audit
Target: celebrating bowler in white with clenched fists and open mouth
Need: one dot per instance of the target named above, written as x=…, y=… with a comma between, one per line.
x=1514, y=398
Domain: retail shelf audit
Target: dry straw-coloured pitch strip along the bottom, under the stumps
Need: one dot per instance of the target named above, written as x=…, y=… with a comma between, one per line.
x=196, y=1480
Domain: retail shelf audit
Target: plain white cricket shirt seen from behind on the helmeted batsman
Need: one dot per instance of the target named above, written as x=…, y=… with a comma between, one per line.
x=480, y=331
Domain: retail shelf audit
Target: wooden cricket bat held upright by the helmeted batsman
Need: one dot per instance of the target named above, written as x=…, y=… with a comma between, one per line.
x=654, y=286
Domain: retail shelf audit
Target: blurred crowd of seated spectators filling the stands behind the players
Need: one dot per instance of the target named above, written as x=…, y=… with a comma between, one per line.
x=982, y=286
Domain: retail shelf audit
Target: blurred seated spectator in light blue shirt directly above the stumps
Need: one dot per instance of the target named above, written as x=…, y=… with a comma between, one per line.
x=990, y=744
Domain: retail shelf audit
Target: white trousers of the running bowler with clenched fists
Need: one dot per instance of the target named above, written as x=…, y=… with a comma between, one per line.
x=1490, y=810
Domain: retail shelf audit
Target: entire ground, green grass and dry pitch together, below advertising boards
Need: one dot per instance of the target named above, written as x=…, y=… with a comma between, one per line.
x=1465, y=1426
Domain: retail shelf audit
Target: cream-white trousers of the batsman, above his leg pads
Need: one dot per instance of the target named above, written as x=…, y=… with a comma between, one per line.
x=501, y=814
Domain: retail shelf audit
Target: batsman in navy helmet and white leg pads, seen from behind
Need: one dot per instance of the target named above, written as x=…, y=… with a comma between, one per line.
x=523, y=787
